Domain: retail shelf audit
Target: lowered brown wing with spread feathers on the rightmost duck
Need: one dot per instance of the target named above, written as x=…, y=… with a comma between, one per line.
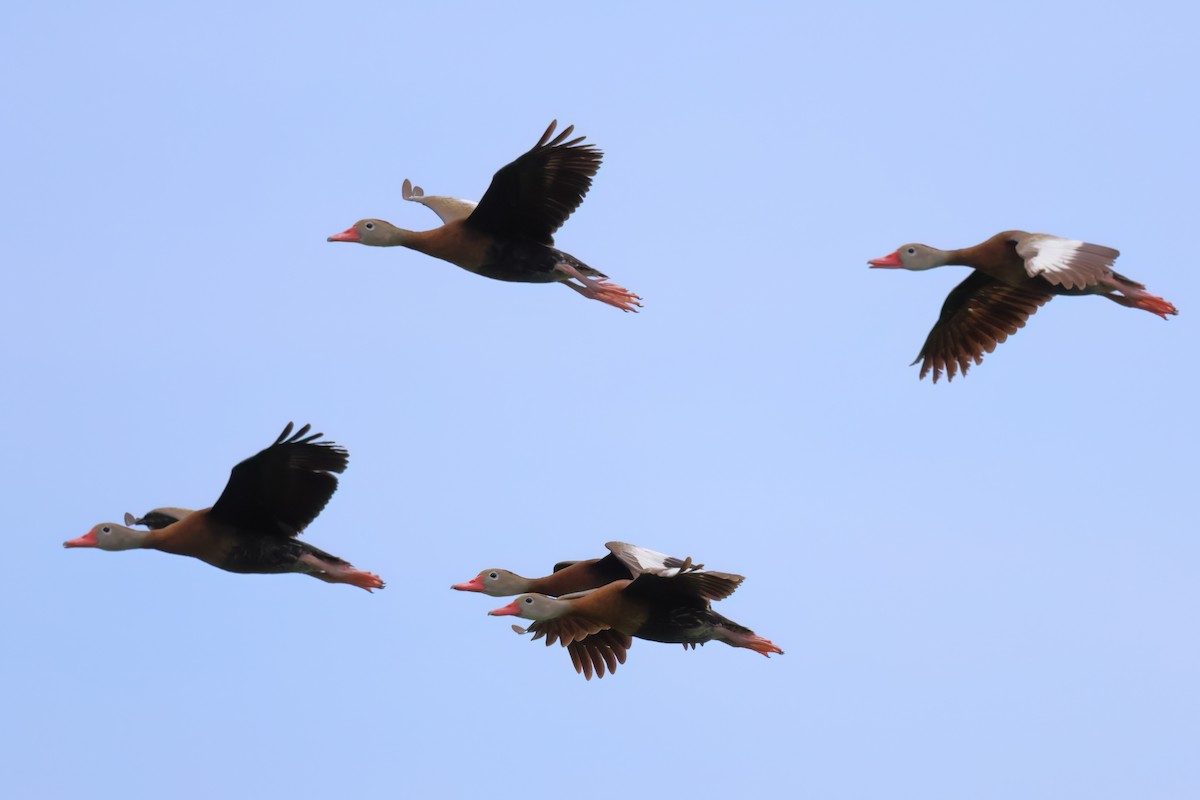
x=977, y=316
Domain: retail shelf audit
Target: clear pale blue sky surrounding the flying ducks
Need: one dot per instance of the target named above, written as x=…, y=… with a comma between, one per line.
x=986, y=590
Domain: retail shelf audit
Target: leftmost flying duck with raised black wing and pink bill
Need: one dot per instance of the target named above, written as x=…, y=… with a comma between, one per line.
x=269, y=500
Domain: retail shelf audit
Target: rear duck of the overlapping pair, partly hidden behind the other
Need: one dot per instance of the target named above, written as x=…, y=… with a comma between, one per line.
x=625, y=562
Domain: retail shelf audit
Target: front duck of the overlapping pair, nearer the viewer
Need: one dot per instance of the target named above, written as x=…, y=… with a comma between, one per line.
x=596, y=625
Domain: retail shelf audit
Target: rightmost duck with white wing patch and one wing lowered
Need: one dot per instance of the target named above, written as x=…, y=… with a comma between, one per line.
x=1016, y=274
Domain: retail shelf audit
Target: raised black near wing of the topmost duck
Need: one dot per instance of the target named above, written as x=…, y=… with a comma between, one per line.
x=532, y=197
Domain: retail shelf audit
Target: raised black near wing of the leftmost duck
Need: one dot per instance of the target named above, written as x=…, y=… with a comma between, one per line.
x=283, y=489
